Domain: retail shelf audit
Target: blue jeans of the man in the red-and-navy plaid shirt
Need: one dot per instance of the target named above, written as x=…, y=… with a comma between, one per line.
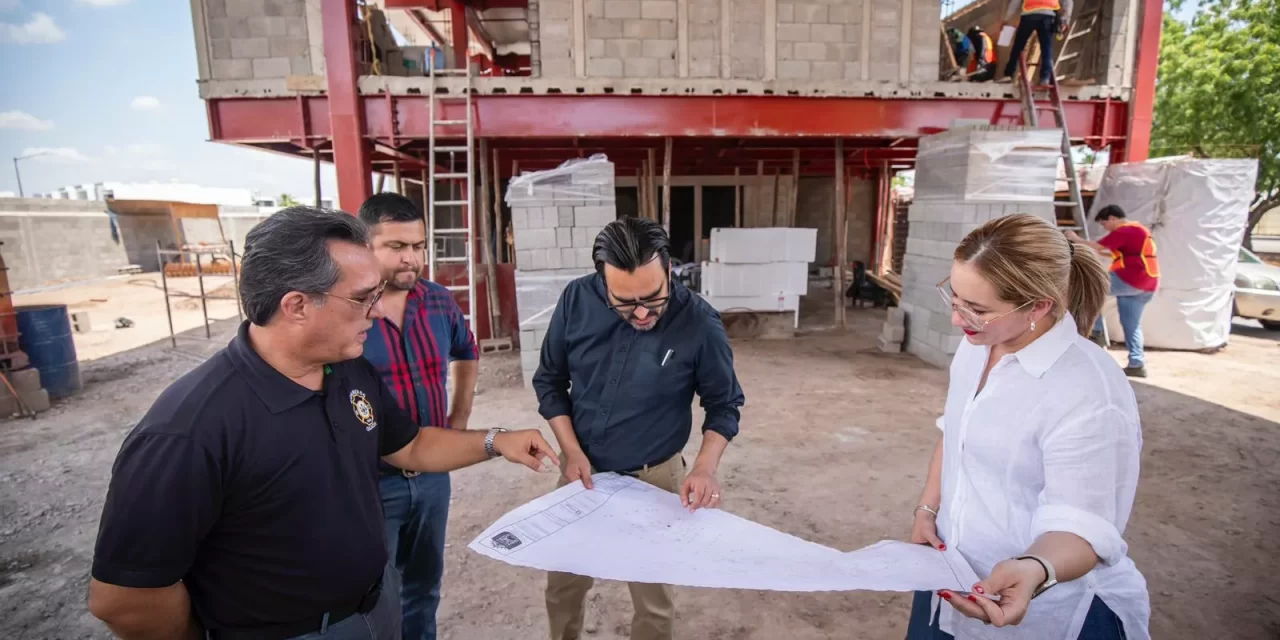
x=418, y=513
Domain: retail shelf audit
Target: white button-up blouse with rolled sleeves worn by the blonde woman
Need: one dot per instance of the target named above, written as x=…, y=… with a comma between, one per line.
x=1052, y=444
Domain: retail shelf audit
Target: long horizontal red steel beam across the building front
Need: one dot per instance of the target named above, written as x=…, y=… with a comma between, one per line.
x=541, y=117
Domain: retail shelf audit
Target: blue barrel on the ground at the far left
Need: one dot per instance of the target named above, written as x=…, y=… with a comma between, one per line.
x=45, y=336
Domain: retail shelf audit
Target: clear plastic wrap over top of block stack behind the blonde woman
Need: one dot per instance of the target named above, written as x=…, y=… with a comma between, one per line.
x=989, y=166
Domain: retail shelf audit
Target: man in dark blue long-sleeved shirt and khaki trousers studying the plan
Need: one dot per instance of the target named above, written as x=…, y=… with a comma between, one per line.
x=625, y=353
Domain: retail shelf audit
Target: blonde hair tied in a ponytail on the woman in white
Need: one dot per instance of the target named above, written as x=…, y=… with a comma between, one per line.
x=1027, y=259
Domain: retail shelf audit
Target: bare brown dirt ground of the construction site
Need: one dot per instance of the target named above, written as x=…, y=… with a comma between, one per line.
x=834, y=447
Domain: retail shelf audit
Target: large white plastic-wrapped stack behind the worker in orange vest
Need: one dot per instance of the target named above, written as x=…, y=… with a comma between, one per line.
x=1197, y=212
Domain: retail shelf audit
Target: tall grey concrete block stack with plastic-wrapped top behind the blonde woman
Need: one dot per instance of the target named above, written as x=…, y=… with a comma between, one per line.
x=964, y=179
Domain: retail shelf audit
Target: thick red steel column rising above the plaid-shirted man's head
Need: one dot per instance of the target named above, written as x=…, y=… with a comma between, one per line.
x=351, y=152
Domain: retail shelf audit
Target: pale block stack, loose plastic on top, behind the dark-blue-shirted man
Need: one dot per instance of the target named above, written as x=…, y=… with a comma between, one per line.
x=556, y=217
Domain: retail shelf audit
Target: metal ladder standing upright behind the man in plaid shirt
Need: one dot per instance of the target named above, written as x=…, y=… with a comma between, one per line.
x=451, y=157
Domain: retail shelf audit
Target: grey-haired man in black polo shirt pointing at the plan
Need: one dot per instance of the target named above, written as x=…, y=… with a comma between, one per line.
x=245, y=505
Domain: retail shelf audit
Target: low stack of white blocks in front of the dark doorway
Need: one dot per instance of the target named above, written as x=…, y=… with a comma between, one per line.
x=765, y=269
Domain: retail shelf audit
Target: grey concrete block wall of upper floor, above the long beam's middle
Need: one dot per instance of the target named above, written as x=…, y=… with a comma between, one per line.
x=712, y=39
